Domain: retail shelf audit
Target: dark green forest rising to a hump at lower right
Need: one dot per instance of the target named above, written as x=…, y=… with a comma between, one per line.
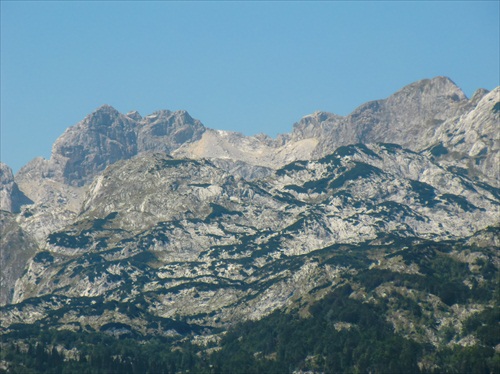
x=283, y=343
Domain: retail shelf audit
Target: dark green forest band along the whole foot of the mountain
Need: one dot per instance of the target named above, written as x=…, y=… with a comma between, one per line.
x=279, y=343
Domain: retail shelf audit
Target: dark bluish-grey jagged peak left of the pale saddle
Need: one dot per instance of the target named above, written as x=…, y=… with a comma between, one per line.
x=107, y=136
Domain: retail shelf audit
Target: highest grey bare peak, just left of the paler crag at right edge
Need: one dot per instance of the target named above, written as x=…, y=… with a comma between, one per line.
x=407, y=118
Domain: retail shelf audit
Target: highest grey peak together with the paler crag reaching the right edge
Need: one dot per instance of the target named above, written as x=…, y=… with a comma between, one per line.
x=423, y=115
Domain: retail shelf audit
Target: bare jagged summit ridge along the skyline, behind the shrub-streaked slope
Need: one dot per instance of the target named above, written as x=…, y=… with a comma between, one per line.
x=412, y=117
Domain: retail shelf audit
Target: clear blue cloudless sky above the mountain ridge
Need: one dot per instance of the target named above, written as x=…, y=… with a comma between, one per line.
x=243, y=66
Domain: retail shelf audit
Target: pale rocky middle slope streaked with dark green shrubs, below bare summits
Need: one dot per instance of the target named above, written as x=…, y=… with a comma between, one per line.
x=191, y=240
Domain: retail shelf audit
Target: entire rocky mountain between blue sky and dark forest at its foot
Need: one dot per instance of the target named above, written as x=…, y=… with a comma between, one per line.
x=158, y=226
